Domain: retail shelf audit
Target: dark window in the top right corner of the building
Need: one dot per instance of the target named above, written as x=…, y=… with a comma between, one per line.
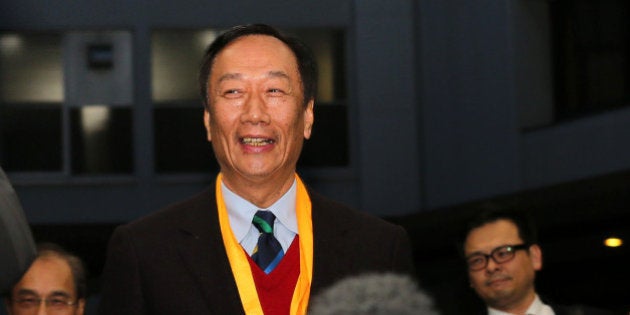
x=591, y=56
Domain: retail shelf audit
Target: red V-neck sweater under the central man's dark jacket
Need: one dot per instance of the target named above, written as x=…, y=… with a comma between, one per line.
x=275, y=290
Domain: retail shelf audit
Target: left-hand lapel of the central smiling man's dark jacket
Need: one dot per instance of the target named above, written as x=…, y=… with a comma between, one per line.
x=200, y=246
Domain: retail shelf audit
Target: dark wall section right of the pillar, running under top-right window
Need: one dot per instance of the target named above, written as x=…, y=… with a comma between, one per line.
x=485, y=80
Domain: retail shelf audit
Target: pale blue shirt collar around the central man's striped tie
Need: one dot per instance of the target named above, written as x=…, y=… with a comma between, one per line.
x=241, y=212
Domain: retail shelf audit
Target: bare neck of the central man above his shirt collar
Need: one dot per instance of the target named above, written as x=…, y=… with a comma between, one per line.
x=262, y=192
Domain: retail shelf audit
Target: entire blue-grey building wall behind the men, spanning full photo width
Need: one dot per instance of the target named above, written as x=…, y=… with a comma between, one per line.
x=441, y=95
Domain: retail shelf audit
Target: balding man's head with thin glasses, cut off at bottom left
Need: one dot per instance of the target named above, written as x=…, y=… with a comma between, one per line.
x=54, y=284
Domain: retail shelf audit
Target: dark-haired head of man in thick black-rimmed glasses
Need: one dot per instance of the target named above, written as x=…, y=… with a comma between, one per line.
x=503, y=257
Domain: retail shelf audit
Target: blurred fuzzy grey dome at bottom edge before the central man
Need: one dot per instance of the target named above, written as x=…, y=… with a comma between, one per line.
x=374, y=294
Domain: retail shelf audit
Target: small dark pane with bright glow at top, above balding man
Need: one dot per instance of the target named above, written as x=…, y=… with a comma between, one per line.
x=101, y=140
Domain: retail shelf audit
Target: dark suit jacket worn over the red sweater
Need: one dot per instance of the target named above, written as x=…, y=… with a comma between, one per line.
x=174, y=261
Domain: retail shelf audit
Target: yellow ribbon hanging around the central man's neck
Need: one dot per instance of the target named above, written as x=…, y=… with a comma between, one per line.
x=240, y=266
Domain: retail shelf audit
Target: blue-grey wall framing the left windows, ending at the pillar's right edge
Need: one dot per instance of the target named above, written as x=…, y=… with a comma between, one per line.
x=382, y=103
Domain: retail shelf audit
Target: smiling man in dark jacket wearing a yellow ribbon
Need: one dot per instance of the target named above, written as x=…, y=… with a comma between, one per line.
x=258, y=241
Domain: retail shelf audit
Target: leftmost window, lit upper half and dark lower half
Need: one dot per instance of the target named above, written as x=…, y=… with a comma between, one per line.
x=31, y=92
